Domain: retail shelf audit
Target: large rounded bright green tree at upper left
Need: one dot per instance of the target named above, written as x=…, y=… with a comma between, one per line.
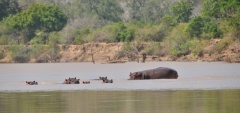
x=37, y=17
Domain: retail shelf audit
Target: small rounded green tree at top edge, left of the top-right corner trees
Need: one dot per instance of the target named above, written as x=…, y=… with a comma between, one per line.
x=182, y=11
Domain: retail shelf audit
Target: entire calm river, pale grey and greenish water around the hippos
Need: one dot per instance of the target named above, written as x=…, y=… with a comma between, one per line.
x=201, y=87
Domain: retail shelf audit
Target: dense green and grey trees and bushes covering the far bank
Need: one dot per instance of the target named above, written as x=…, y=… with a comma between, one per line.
x=171, y=27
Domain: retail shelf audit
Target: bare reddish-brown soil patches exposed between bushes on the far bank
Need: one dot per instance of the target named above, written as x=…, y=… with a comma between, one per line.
x=106, y=52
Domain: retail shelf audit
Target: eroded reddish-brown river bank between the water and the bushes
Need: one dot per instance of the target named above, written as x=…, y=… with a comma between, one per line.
x=109, y=53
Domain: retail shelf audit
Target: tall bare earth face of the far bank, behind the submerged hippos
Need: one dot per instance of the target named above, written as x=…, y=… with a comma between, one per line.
x=101, y=52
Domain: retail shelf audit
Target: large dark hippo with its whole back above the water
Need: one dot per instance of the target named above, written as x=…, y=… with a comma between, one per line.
x=157, y=73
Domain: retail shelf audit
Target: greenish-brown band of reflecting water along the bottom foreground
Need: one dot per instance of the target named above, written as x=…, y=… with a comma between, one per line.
x=179, y=101
